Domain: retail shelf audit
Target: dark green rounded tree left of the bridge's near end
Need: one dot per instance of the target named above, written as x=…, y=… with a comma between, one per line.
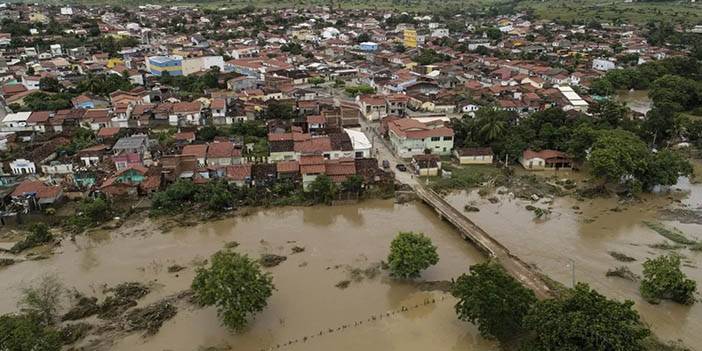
x=493, y=300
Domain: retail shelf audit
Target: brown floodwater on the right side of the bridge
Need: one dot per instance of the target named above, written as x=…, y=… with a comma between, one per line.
x=583, y=232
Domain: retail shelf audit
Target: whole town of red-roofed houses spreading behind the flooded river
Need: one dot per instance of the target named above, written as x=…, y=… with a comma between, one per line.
x=423, y=70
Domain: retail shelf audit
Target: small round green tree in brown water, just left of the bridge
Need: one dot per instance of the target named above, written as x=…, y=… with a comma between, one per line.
x=410, y=254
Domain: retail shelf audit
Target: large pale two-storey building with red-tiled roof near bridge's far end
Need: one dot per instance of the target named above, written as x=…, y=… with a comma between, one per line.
x=410, y=137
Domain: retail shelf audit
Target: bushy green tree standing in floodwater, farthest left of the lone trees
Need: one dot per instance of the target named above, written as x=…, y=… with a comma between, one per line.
x=236, y=285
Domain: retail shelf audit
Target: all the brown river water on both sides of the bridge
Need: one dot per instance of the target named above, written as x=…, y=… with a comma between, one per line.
x=337, y=239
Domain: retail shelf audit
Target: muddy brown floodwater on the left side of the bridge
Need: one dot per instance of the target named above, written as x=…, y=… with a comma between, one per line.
x=306, y=302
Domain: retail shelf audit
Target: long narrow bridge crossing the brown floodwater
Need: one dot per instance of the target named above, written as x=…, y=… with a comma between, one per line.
x=517, y=268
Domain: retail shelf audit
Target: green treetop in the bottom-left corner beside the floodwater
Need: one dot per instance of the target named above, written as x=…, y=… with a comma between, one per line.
x=27, y=333
